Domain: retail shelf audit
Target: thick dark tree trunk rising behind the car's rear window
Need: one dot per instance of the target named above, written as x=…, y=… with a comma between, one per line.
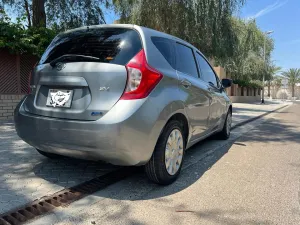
x=38, y=13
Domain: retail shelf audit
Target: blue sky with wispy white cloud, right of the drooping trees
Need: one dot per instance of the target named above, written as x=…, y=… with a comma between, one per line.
x=282, y=17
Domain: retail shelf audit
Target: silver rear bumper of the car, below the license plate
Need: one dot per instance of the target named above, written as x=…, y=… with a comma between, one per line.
x=121, y=137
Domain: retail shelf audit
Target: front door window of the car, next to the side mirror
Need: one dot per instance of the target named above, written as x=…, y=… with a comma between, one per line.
x=207, y=74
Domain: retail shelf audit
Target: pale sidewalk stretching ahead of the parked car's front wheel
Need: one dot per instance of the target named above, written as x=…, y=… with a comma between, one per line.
x=243, y=112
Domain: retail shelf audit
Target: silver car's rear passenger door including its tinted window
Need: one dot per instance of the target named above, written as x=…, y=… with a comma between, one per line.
x=197, y=95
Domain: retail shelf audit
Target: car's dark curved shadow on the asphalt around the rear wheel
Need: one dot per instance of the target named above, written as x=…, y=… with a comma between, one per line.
x=198, y=160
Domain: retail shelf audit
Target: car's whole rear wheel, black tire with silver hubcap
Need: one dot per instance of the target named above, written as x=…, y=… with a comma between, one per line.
x=166, y=162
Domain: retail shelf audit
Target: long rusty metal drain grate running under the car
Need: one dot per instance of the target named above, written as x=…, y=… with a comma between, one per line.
x=63, y=198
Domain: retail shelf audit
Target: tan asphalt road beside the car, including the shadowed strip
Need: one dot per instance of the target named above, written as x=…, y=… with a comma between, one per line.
x=253, y=178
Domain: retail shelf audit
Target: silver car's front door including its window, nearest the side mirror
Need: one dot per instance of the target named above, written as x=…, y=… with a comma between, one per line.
x=217, y=106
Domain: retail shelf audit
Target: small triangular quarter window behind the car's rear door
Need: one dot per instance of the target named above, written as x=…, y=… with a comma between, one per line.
x=166, y=48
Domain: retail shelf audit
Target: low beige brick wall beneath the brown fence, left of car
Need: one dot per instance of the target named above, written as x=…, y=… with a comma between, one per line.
x=7, y=105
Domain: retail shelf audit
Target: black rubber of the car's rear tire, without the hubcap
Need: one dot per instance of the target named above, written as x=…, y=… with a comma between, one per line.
x=156, y=169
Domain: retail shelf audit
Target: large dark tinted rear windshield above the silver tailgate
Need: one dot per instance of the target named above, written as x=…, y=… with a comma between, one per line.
x=110, y=45
